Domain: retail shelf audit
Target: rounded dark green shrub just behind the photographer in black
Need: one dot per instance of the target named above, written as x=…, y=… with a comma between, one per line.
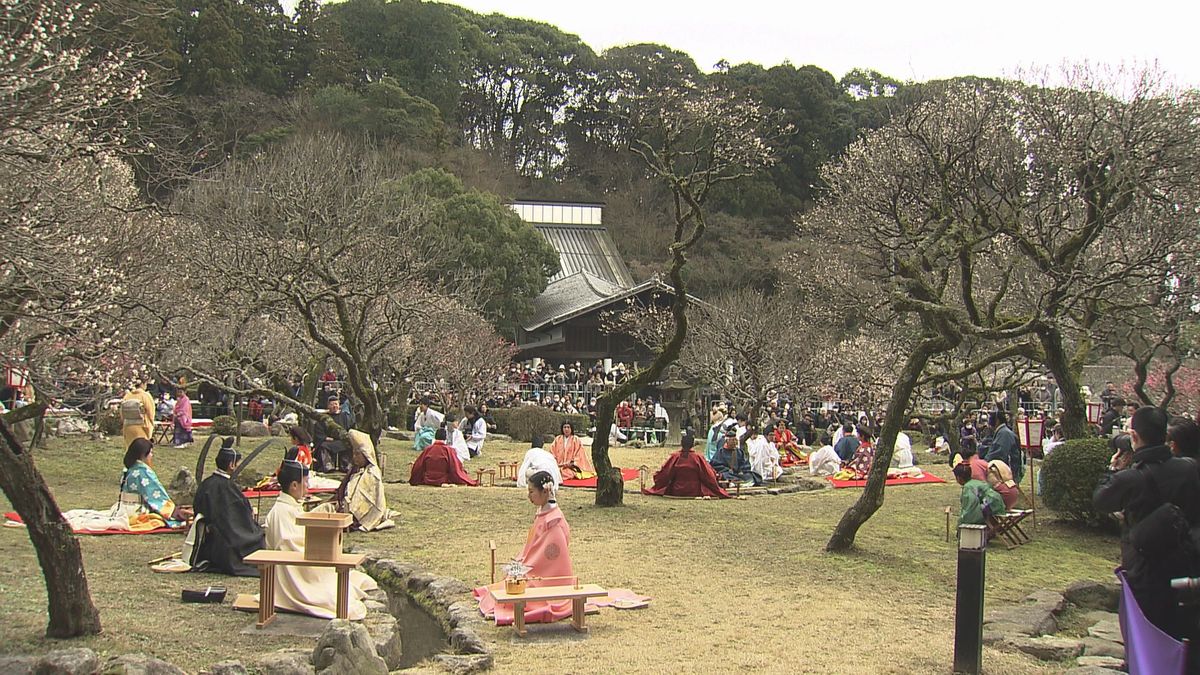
x=1071, y=475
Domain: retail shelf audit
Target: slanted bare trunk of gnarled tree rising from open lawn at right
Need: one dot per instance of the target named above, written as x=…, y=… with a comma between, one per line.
x=873, y=495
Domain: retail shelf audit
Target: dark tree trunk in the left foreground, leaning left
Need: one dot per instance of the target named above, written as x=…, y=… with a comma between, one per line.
x=71, y=611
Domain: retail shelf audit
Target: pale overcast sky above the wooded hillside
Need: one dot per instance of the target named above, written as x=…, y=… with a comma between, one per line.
x=919, y=40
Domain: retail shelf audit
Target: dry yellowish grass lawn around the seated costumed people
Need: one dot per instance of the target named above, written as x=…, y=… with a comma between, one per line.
x=736, y=584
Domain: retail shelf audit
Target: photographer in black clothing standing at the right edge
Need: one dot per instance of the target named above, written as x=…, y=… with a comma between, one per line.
x=1155, y=540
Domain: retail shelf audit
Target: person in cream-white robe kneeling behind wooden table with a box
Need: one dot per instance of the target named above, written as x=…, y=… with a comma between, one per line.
x=307, y=590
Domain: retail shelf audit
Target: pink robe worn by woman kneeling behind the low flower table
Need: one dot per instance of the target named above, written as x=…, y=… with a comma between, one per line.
x=547, y=553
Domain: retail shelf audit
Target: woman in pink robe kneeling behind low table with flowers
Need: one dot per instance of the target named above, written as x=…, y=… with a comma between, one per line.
x=547, y=554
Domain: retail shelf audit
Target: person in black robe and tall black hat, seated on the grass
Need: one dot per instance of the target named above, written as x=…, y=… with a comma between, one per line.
x=229, y=531
